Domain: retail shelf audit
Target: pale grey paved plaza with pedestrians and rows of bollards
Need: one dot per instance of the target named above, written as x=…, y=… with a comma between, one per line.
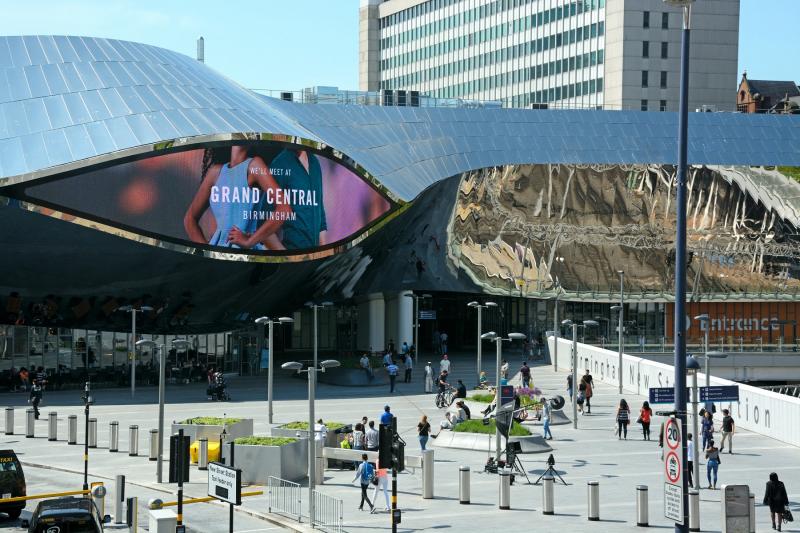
x=592, y=453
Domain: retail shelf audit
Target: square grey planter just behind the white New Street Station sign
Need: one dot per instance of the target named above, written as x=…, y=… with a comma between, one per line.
x=257, y=463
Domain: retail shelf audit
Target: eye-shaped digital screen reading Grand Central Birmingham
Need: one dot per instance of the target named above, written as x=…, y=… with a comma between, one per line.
x=257, y=198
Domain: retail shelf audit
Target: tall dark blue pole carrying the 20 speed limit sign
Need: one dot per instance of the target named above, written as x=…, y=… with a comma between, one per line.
x=680, y=263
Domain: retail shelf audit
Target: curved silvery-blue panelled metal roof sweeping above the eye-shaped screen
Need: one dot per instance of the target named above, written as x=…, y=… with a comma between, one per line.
x=70, y=99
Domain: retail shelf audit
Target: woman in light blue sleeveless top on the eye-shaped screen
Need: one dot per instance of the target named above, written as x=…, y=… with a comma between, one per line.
x=234, y=187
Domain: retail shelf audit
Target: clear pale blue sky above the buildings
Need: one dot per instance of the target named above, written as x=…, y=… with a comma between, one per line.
x=291, y=44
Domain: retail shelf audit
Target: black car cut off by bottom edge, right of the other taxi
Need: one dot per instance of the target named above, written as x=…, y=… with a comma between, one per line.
x=66, y=515
